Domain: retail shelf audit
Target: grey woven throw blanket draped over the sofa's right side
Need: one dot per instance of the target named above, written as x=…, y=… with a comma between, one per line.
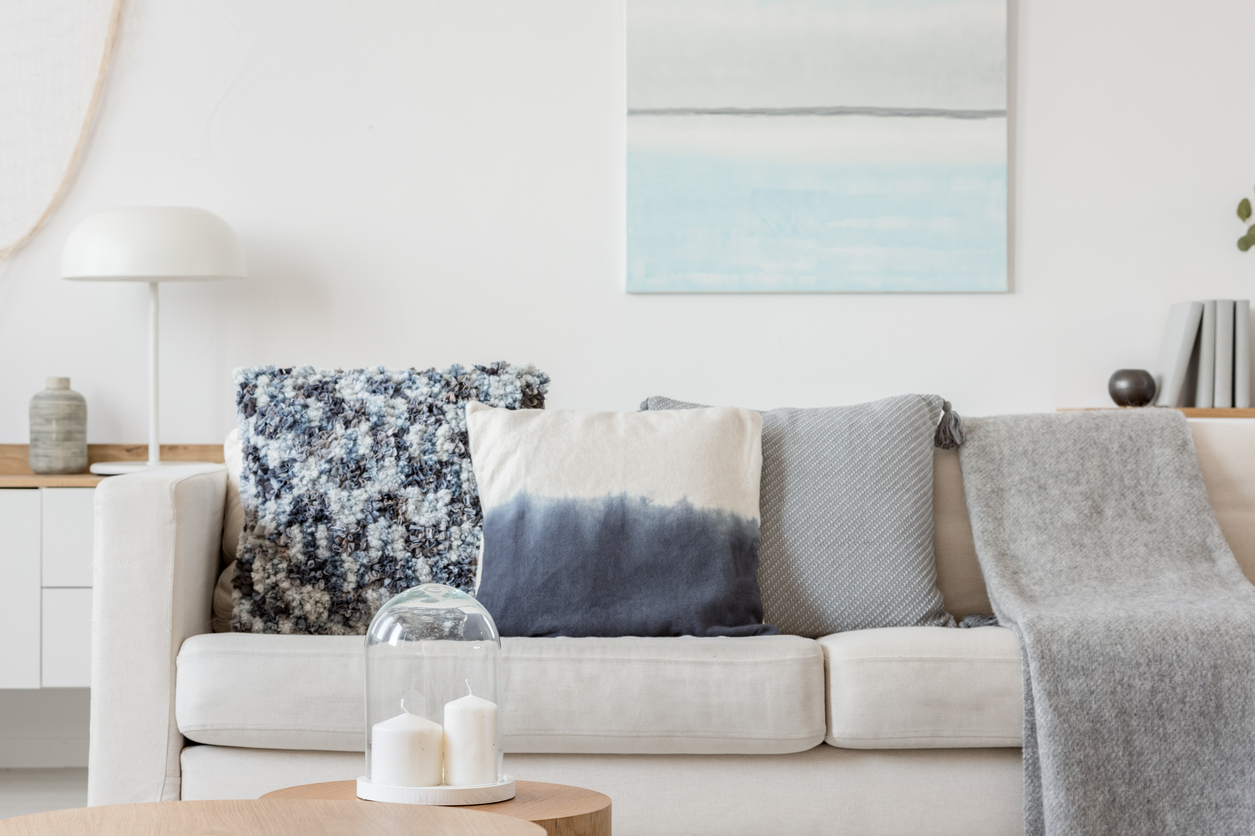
x=1136, y=626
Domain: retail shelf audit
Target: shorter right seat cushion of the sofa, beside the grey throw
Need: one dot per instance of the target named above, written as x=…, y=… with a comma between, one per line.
x=908, y=689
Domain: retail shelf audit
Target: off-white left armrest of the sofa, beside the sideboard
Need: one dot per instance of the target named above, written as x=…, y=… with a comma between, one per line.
x=159, y=535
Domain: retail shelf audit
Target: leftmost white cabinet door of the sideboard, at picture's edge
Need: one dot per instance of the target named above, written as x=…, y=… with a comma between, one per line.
x=19, y=581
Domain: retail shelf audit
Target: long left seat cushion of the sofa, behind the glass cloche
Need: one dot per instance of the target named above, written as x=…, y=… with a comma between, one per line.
x=632, y=696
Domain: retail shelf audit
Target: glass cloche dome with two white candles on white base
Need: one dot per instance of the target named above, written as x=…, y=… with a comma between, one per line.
x=434, y=702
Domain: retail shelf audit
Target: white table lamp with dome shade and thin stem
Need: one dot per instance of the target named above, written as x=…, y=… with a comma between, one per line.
x=151, y=244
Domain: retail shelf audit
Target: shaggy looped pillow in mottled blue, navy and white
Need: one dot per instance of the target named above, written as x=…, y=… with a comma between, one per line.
x=357, y=485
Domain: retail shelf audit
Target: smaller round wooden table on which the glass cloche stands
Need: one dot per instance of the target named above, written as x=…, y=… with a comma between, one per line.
x=559, y=809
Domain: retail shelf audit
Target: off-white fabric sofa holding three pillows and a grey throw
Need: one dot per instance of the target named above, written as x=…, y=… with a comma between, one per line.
x=894, y=731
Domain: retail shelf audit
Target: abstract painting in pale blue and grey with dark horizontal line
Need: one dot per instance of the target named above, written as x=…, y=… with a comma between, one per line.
x=811, y=146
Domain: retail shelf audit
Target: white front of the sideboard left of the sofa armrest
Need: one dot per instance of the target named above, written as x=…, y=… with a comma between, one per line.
x=46, y=560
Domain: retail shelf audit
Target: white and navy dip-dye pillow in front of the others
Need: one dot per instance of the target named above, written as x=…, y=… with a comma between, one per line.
x=604, y=524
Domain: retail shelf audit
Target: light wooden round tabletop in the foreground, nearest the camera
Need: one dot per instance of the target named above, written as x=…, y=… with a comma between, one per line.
x=268, y=818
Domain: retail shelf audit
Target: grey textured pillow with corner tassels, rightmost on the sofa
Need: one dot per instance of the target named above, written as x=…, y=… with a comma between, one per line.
x=848, y=517
